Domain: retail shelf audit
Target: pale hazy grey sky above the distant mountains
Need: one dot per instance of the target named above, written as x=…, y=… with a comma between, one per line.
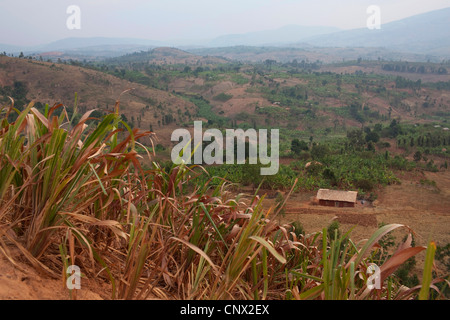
x=26, y=22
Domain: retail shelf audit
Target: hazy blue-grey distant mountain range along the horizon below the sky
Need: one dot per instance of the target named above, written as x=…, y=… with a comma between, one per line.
x=426, y=34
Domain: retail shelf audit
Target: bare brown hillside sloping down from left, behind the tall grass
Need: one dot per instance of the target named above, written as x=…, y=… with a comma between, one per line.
x=45, y=82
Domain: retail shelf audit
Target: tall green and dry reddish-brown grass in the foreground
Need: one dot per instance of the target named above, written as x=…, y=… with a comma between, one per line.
x=78, y=191
